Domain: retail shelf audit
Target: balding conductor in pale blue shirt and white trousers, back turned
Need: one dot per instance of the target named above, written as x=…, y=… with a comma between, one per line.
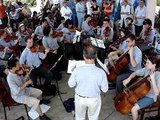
x=88, y=81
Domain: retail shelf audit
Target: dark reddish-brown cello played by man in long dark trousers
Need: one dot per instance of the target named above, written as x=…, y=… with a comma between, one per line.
x=119, y=66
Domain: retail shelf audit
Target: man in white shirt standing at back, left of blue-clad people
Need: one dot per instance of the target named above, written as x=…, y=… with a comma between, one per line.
x=66, y=11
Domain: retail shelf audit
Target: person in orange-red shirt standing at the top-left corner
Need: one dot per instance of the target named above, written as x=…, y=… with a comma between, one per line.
x=3, y=15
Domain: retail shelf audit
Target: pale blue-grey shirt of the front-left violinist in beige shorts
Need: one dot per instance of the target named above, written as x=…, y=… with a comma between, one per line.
x=14, y=82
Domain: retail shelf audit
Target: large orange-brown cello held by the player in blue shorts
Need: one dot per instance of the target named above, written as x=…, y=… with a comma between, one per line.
x=127, y=99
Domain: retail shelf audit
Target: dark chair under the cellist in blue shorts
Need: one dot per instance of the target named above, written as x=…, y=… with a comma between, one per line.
x=151, y=108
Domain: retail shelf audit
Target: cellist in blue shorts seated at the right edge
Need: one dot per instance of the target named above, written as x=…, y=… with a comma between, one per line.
x=154, y=79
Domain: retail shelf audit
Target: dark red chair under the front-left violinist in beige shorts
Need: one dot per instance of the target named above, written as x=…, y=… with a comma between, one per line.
x=7, y=101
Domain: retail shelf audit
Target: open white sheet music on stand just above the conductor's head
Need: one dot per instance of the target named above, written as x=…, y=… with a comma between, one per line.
x=97, y=42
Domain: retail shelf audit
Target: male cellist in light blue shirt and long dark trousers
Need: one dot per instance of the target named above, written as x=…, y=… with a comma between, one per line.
x=135, y=56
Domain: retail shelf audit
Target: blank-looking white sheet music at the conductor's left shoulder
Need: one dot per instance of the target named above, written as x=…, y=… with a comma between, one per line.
x=72, y=64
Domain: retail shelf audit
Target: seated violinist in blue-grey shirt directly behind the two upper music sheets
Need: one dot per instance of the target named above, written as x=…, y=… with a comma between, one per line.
x=87, y=29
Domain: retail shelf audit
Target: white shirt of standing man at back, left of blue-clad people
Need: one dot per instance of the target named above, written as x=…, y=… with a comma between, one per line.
x=64, y=11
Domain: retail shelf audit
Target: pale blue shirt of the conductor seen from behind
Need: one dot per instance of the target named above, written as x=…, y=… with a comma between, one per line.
x=88, y=80
